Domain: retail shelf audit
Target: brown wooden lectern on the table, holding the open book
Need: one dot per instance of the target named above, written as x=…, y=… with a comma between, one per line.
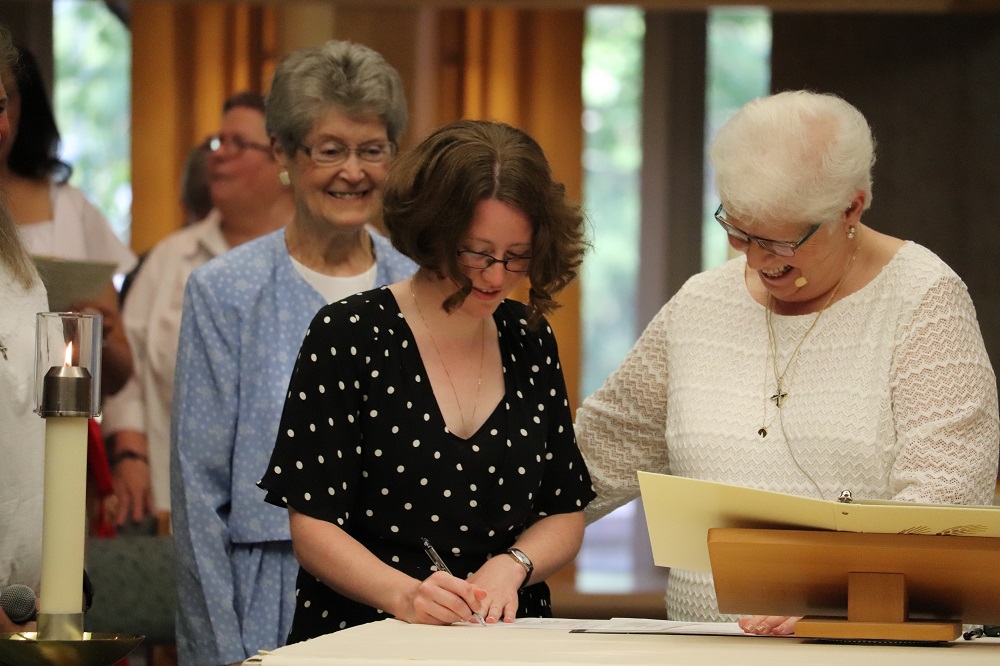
x=859, y=586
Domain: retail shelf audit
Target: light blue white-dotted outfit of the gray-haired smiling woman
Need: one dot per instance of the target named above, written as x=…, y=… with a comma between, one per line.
x=244, y=317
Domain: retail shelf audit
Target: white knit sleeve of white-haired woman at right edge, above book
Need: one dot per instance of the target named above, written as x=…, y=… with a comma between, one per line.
x=944, y=403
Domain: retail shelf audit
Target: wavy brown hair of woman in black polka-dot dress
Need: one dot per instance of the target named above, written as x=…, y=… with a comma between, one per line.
x=431, y=194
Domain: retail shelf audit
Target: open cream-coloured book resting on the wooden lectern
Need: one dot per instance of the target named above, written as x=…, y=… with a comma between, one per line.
x=680, y=511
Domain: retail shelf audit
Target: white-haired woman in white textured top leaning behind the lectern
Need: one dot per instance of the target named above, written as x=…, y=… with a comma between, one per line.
x=827, y=356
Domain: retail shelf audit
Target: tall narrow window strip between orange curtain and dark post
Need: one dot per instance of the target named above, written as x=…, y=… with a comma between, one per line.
x=612, y=99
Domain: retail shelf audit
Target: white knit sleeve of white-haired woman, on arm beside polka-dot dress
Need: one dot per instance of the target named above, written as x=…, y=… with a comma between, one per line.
x=620, y=428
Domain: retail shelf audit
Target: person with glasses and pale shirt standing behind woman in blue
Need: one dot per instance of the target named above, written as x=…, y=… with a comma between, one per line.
x=249, y=200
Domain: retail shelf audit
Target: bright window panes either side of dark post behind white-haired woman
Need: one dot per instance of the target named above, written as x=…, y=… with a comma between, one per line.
x=615, y=555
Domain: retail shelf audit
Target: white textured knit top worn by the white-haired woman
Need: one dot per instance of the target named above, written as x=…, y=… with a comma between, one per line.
x=892, y=396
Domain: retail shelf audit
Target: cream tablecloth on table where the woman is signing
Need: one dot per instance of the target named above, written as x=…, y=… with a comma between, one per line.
x=395, y=643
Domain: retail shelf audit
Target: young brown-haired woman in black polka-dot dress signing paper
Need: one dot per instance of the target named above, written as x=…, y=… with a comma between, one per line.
x=434, y=408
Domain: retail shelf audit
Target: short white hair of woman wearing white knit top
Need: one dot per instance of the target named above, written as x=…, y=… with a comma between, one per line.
x=796, y=155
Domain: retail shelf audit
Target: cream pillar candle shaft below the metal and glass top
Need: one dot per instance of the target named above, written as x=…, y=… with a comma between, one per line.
x=64, y=515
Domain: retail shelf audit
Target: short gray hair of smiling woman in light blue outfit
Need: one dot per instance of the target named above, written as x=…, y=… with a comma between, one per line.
x=349, y=77
